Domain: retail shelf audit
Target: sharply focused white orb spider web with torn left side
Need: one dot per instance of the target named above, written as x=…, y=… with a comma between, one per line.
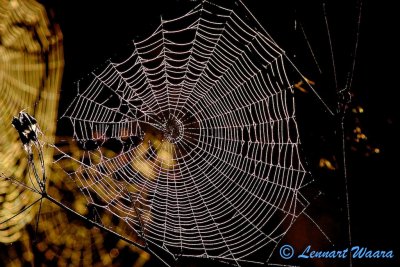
x=201, y=119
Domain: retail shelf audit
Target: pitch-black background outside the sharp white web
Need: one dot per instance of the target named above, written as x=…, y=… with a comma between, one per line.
x=95, y=31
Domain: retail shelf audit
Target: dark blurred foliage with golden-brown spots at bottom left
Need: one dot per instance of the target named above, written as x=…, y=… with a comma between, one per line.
x=80, y=245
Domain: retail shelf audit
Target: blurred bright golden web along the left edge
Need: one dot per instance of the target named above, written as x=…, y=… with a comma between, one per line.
x=31, y=65
